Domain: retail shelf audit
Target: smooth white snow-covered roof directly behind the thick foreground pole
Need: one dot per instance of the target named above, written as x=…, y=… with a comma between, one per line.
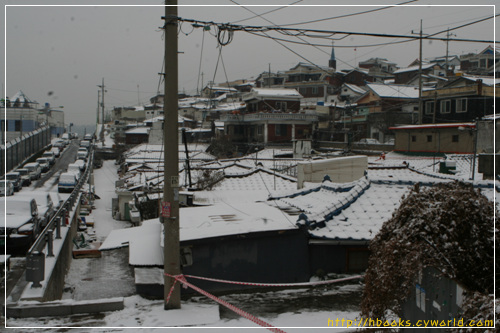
x=197, y=223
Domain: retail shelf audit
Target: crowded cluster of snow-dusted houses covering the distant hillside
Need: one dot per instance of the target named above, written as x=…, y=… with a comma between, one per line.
x=323, y=103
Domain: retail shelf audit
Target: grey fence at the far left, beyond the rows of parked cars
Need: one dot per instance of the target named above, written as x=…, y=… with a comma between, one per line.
x=16, y=151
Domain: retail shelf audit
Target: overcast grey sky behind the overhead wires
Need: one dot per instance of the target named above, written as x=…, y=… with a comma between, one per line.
x=59, y=54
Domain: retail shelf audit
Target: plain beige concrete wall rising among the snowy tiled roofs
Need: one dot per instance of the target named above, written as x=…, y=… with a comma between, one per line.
x=340, y=170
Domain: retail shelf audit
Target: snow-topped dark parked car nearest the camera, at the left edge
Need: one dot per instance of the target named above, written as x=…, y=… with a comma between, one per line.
x=21, y=225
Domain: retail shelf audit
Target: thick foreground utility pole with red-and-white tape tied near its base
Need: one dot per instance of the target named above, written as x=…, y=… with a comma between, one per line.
x=170, y=205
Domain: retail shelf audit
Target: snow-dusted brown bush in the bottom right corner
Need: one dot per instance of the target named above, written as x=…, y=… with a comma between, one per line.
x=449, y=227
